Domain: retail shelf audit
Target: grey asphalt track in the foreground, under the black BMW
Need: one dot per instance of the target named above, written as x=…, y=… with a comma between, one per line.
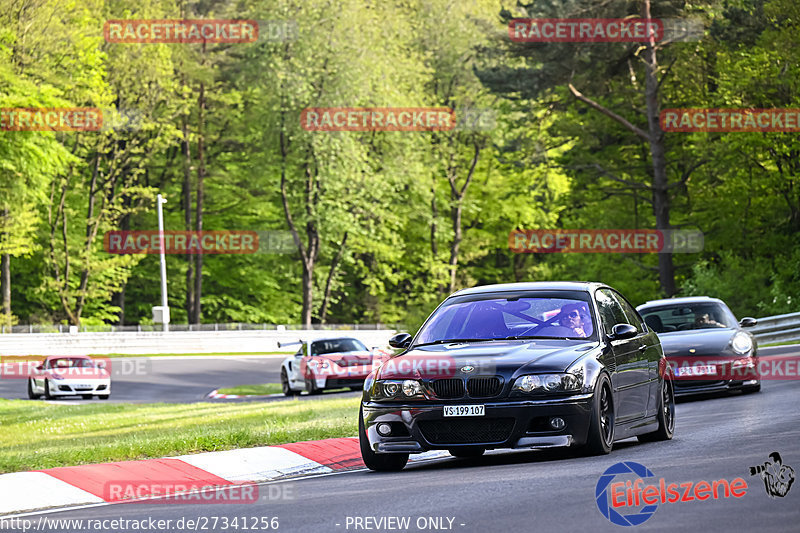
x=531, y=491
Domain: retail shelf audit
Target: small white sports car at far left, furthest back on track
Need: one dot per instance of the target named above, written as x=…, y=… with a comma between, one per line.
x=73, y=375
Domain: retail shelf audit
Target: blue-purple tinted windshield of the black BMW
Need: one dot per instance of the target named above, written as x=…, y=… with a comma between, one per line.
x=501, y=318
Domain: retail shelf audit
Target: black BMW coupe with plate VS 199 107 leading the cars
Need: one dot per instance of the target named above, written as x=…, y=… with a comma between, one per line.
x=523, y=365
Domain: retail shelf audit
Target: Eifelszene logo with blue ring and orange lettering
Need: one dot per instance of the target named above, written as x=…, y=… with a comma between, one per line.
x=629, y=502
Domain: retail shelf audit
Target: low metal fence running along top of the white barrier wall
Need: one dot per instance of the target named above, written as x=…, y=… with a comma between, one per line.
x=196, y=327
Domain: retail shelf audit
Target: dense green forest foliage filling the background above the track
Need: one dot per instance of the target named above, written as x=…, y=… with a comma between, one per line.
x=387, y=223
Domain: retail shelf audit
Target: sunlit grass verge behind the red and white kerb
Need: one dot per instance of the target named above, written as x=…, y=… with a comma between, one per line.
x=39, y=435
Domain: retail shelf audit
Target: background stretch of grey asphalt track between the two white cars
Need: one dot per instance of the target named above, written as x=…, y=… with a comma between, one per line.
x=178, y=379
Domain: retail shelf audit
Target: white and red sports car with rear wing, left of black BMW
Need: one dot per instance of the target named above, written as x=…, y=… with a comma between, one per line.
x=326, y=364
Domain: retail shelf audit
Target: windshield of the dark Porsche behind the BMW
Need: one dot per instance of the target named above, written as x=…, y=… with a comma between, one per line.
x=687, y=317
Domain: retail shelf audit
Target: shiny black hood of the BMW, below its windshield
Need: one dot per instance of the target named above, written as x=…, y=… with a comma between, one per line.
x=506, y=358
